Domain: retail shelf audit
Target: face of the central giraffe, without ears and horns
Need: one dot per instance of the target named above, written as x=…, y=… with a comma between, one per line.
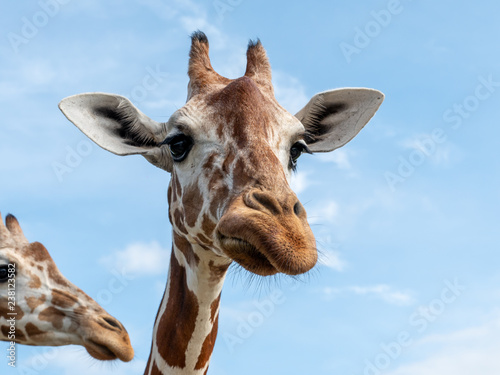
x=230, y=187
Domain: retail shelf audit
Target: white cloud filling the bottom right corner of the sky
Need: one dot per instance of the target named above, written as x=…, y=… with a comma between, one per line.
x=468, y=351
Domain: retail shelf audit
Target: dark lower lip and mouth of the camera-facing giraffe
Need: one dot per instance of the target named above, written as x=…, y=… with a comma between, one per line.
x=247, y=255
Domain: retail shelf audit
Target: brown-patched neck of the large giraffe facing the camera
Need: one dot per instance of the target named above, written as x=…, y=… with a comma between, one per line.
x=186, y=324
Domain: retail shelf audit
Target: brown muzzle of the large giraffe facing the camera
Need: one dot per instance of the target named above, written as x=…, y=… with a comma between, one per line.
x=266, y=235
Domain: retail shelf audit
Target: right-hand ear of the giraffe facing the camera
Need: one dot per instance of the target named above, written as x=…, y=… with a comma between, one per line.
x=332, y=118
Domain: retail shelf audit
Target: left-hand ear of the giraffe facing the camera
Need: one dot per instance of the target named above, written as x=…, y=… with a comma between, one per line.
x=116, y=125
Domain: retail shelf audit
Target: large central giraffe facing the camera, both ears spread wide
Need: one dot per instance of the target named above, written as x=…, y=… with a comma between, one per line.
x=230, y=150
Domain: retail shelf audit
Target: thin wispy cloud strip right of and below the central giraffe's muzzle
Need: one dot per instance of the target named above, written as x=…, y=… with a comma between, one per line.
x=380, y=291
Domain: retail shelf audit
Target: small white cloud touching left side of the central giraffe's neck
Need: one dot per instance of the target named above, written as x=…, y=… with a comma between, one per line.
x=139, y=259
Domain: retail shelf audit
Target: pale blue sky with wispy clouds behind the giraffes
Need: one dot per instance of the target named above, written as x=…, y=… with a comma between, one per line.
x=406, y=215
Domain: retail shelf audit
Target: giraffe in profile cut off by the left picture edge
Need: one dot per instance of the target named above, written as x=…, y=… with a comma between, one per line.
x=39, y=306
